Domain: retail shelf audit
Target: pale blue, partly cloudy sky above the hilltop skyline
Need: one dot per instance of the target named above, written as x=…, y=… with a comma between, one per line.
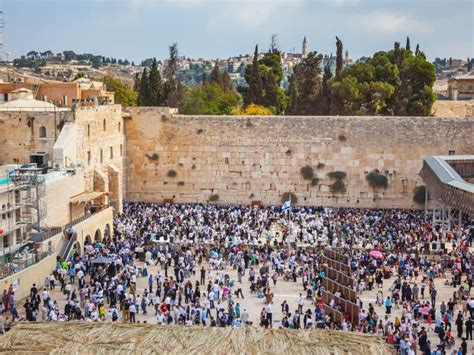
x=139, y=29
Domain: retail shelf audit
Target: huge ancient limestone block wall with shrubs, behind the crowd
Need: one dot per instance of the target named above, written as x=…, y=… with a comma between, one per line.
x=245, y=159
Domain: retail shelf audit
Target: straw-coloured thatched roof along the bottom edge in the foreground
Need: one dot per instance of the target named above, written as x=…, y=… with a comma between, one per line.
x=100, y=338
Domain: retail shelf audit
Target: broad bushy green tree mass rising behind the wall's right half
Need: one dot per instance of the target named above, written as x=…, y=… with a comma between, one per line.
x=397, y=82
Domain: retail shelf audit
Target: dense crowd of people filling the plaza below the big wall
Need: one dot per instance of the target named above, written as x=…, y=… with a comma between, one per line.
x=202, y=255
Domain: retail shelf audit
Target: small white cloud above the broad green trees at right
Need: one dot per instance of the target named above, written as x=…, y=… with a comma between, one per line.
x=386, y=22
